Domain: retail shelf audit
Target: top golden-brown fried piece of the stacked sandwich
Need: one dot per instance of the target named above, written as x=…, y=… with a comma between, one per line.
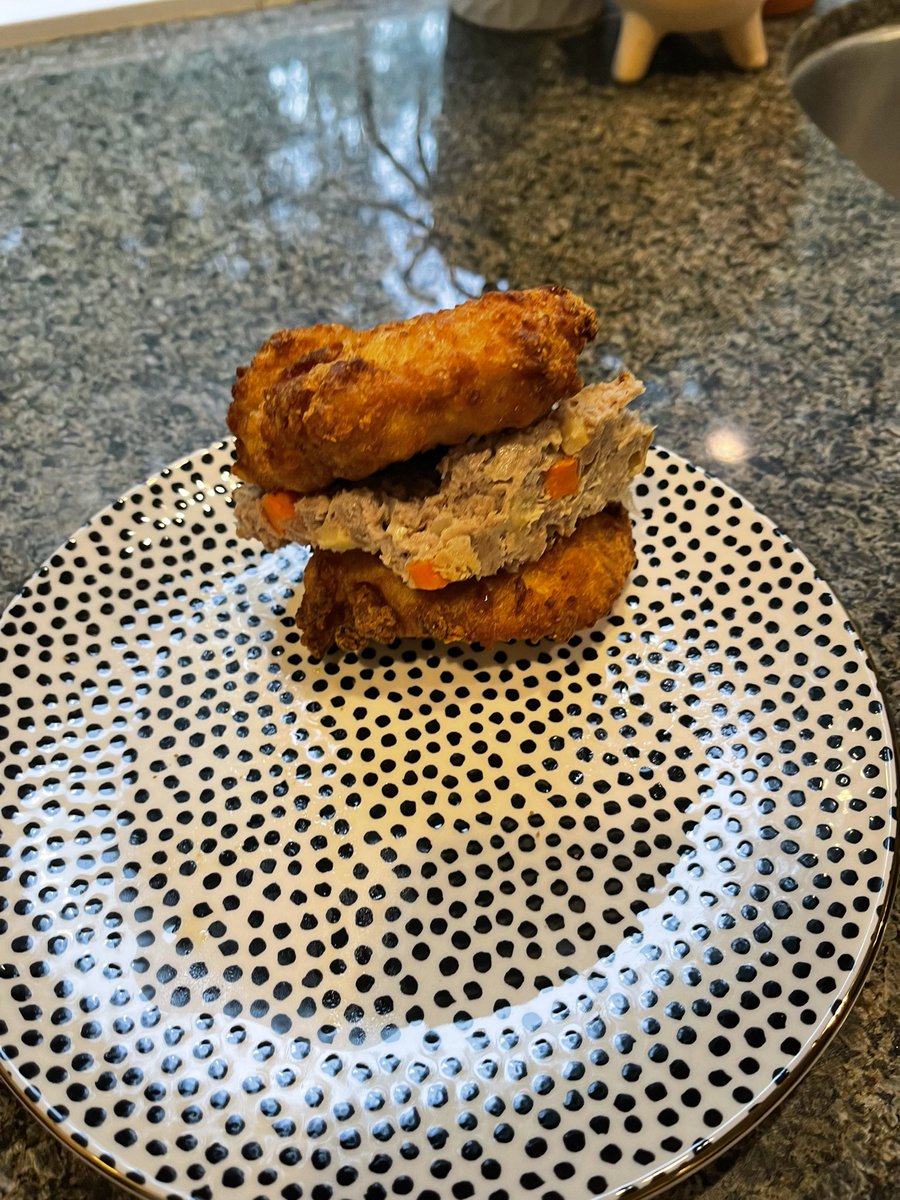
x=328, y=403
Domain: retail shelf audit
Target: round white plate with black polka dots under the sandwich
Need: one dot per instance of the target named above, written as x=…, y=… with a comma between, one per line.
x=543, y=921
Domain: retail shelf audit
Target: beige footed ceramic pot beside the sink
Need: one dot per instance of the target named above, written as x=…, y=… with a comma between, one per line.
x=646, y=22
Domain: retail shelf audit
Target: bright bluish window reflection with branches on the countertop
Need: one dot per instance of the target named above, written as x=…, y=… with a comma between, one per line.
x=376, y=141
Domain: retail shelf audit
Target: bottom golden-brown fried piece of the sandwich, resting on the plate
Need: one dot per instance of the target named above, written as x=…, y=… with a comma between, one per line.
x=352, y=599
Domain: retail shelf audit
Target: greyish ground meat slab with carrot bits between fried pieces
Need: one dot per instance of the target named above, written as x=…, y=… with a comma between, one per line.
x=501, y=501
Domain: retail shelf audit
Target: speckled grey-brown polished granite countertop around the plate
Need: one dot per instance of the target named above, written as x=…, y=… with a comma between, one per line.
x=171, y=196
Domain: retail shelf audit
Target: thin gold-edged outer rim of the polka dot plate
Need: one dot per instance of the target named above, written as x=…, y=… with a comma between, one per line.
x=717, y=1145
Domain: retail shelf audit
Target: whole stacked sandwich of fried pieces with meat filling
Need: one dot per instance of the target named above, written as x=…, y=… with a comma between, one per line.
x=452, y=473
